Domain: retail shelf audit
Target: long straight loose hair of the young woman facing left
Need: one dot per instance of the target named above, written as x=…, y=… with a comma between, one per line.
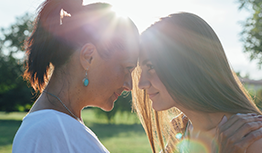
x=190, y=61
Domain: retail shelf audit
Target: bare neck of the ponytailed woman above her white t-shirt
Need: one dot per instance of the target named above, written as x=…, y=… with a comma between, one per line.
x=57, y=92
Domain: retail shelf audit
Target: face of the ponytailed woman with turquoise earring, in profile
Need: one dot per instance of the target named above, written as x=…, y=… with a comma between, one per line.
x=112, y=76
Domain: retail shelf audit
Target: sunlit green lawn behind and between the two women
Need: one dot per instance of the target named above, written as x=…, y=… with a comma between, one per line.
x=125, y=136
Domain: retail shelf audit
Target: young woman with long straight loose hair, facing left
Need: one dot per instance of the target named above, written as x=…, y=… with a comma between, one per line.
x=185, y=77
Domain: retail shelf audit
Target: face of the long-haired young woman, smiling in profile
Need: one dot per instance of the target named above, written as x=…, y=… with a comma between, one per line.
x=156, y=90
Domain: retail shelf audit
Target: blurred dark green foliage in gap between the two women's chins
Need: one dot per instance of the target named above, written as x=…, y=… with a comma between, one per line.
x=122, y=105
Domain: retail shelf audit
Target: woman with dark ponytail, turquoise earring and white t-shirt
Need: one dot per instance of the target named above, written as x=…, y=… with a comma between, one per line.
x=78, y=56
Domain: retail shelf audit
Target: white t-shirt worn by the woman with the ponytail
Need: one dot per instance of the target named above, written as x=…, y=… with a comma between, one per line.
x=51, y=131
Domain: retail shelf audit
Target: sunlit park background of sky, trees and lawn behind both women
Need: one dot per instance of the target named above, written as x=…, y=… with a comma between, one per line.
x=120, y=130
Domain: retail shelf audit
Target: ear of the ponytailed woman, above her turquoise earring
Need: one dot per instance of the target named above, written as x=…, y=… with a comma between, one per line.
x=86, y=55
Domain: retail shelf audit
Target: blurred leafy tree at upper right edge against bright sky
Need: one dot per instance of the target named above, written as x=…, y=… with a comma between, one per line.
x=252, y=32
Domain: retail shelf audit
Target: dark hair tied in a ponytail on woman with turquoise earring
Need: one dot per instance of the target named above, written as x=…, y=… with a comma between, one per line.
x=64, y=26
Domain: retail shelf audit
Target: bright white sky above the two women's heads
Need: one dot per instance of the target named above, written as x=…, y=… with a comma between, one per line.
x=222, y=15
